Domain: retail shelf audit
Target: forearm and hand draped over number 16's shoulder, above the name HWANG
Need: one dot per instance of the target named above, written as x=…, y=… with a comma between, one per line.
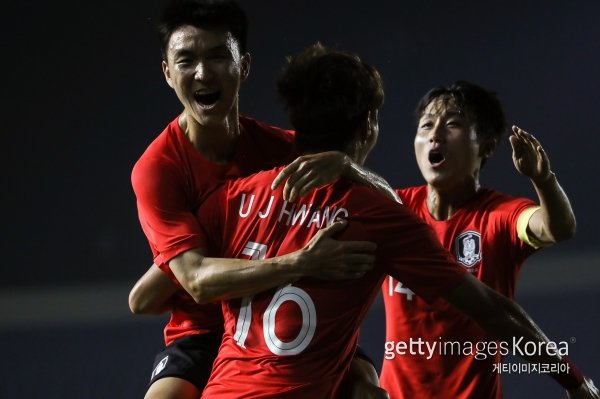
x=314, y=170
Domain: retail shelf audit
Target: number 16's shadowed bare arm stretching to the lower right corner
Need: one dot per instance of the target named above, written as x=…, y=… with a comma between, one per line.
x=507, y=322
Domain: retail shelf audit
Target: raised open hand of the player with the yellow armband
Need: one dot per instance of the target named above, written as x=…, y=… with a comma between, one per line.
x=529, y=157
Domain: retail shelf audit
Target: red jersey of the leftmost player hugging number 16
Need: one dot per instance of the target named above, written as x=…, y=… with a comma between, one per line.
x=171, y=179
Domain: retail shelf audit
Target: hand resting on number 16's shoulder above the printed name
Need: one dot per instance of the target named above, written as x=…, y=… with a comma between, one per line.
x=311, y=171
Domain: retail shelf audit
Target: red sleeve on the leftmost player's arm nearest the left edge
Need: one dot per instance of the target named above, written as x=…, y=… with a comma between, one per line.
x=162, y=209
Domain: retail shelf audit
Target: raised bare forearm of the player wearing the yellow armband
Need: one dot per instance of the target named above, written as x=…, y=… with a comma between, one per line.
x=556, y=217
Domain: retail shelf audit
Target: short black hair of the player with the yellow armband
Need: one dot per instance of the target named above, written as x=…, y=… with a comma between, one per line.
x=482, y=107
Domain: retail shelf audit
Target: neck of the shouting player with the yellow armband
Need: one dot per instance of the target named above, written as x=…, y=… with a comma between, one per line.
x=443, y=203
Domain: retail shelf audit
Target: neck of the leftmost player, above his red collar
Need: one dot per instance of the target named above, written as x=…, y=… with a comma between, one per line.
x=214, y=142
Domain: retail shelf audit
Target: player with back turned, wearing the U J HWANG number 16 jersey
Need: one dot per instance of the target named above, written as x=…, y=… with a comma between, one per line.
x=297, y=340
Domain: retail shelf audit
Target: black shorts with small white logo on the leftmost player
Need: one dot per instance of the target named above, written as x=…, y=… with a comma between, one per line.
x=189, y=358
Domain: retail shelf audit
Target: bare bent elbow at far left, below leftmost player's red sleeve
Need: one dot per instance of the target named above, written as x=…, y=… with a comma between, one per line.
x=151, y=294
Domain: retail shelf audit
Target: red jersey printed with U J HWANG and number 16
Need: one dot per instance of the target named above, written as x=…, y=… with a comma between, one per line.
x=297, y=340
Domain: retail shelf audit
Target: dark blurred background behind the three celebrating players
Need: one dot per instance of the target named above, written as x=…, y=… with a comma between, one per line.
x=83, y=96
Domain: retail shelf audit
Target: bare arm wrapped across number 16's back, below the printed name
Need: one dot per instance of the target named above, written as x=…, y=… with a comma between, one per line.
x=213, y=279
